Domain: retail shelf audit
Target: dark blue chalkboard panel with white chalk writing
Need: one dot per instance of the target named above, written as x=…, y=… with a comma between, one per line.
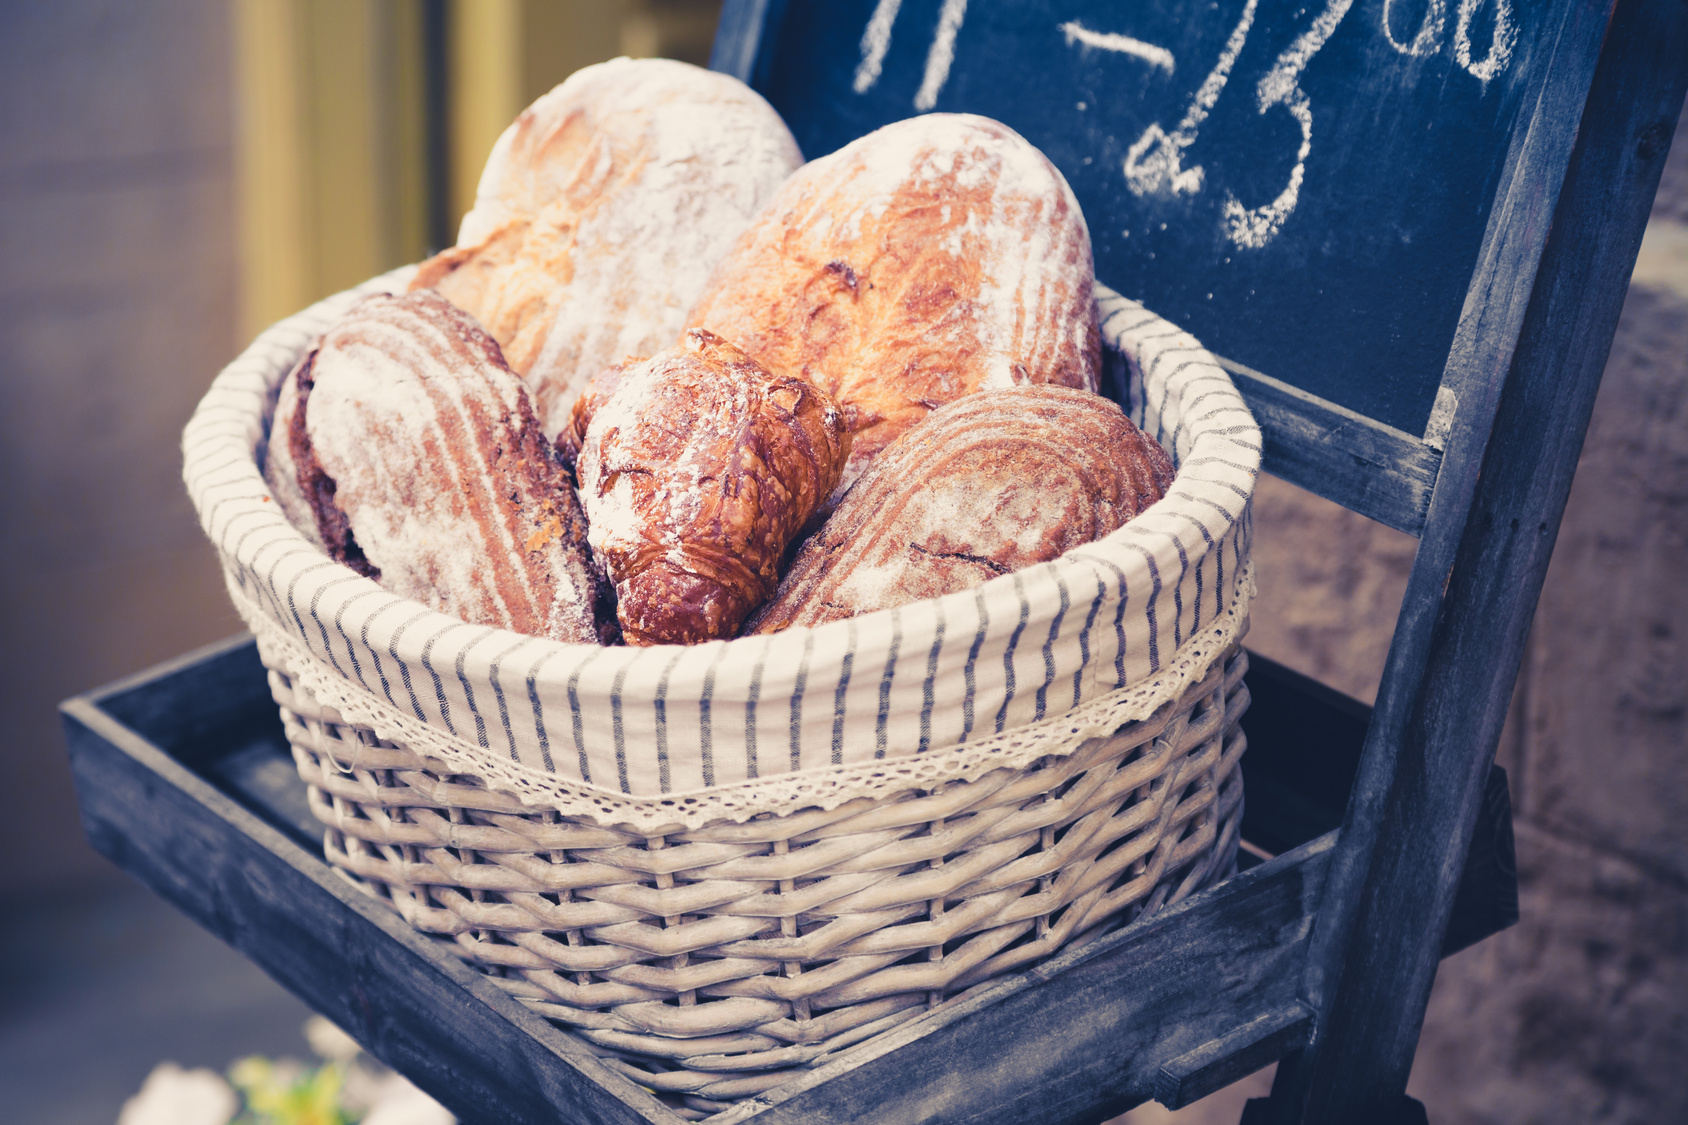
x=1304, y=187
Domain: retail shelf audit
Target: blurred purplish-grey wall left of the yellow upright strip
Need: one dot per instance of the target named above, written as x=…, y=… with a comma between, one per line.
x=119, y=298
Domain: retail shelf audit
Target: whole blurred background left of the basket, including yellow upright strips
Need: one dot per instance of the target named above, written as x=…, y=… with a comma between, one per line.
x=175, y=177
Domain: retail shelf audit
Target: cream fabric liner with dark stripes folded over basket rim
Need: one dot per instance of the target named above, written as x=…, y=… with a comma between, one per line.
x=289, y=589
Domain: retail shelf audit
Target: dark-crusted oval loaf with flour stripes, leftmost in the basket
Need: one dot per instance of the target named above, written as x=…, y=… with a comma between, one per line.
x=426, y=470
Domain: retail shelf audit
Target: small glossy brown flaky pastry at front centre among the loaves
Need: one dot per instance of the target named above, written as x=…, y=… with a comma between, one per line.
x=698, y=469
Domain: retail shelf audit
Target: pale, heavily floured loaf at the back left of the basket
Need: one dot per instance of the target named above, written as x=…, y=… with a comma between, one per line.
x=602, y=212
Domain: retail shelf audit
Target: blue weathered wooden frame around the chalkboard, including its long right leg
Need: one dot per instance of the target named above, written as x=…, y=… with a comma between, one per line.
x=1485, y=489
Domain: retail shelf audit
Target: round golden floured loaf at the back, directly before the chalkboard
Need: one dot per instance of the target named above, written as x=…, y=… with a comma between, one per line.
x=919, y=264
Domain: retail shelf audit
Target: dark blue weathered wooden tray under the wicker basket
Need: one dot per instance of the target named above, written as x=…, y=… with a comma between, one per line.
x=187, y=781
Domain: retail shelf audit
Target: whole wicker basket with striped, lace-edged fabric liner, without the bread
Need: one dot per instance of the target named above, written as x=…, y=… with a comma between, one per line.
x=762, y=852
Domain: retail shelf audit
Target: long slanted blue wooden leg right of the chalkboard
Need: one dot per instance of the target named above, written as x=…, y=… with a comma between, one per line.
x=1474, y=589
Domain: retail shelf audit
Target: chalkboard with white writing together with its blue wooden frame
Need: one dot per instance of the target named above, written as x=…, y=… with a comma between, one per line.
x=1496, y=371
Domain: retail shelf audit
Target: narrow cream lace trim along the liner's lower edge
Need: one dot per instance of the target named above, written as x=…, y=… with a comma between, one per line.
x=781, y=793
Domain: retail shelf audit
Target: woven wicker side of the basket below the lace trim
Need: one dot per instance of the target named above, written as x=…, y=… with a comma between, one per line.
x=710, y=964
